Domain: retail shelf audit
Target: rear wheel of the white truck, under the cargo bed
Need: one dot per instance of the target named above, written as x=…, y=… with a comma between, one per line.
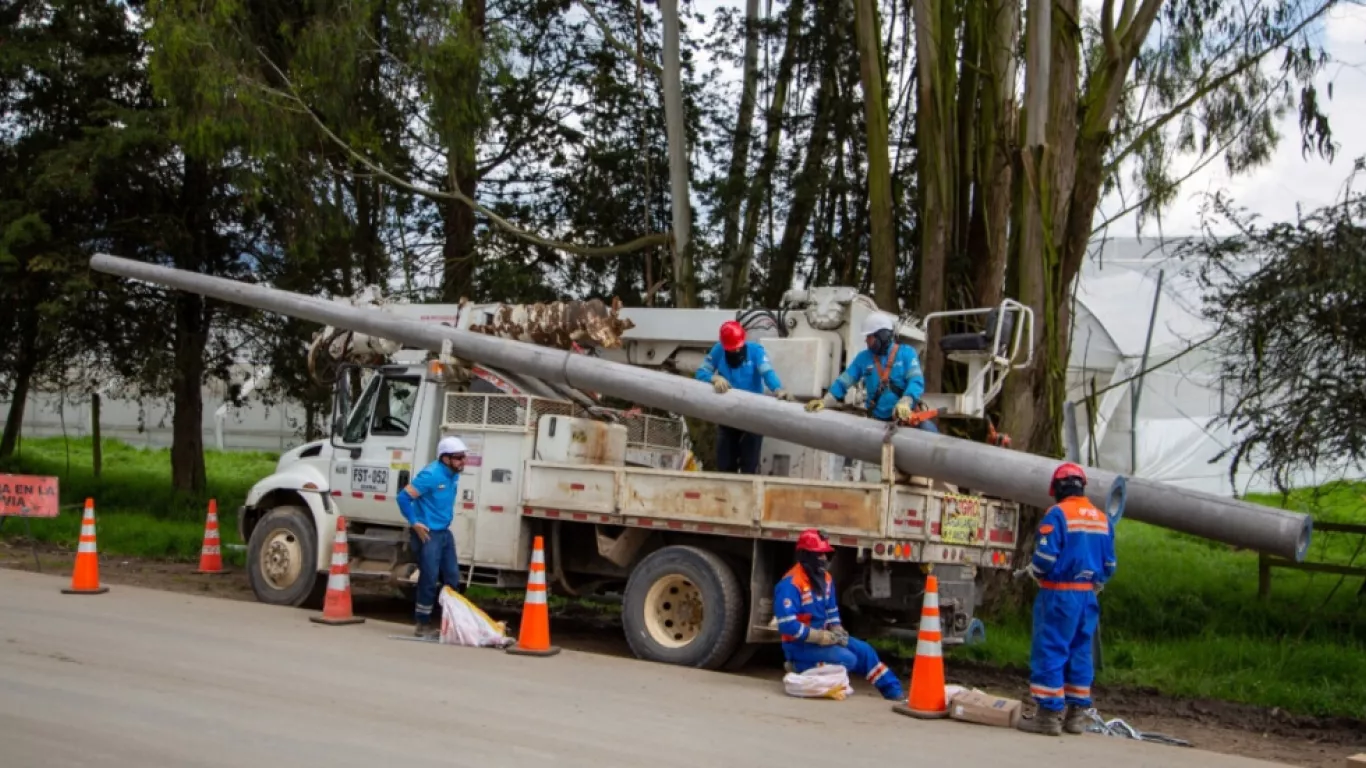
x=684, y=606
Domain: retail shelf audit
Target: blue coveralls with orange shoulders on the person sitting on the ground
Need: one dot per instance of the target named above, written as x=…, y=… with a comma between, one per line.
x=798, y=610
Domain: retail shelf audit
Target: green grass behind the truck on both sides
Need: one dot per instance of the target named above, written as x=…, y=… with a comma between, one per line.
x=1182, y=614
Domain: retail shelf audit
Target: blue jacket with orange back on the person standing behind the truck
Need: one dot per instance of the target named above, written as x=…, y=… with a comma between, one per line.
x=1076, y=547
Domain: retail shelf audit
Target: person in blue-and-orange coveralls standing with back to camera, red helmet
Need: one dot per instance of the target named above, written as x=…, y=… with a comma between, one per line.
x=1074, y=557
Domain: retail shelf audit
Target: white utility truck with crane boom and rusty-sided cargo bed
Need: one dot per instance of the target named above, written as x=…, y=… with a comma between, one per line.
x=617, y=494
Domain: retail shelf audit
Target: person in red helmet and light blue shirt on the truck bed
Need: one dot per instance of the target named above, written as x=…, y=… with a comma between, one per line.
x=745, y=366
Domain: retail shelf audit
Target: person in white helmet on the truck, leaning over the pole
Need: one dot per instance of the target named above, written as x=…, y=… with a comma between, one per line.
x=891, y=375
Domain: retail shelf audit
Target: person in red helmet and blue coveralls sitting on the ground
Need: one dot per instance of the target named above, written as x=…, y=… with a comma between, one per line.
x=809, y=620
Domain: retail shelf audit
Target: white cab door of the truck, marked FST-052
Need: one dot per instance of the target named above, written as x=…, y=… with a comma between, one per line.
x=383, y=430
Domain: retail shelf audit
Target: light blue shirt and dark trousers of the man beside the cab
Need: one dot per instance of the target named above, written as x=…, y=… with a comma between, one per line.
x=435, y=508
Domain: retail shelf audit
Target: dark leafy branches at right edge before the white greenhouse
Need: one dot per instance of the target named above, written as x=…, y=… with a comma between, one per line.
x=1290, y=301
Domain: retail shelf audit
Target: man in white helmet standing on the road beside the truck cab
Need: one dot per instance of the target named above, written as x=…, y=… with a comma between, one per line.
x=428, y=504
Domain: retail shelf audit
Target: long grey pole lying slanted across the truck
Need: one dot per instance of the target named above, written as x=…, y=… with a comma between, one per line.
x=986, y=469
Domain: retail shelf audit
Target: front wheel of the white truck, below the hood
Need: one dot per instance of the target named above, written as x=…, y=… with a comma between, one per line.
x=282, y=560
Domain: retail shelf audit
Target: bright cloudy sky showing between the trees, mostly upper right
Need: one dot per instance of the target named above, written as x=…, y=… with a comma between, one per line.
x=1275, y=189
